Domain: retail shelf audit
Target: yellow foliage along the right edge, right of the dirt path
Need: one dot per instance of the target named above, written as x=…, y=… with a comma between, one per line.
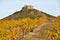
x=54, y=34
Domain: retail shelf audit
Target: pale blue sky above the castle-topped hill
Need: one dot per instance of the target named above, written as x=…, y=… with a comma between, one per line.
x=8, y=7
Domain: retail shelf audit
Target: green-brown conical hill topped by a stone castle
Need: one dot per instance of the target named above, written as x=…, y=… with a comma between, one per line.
x=28, y=11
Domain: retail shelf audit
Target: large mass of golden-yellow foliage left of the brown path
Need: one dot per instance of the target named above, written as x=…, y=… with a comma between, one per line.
x=13, y=29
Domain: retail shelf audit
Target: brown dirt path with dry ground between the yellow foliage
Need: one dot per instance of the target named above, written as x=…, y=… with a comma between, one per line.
x=39, y=33
